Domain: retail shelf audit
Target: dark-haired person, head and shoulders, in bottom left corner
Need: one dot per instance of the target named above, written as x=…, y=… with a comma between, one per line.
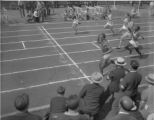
x=21, y=104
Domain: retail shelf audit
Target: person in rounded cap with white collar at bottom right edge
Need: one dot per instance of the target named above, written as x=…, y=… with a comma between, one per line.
x=126, y=105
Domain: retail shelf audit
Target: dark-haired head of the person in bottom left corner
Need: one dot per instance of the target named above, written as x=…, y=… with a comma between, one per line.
x=22, y=102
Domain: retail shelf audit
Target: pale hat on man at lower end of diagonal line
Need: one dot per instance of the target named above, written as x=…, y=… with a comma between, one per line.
x=96, y=77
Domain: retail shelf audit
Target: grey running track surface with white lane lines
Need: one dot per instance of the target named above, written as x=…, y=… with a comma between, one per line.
x=37, y=58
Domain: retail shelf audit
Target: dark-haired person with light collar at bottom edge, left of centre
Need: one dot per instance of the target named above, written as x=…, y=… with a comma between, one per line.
x=72, y=113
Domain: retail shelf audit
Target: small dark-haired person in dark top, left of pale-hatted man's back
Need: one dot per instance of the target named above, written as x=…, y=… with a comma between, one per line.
x=58, y=103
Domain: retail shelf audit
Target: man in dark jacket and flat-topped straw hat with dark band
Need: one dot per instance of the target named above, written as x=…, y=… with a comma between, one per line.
x=117, y=74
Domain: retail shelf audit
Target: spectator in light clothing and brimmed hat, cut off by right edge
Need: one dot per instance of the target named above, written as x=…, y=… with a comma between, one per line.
x=147, y=97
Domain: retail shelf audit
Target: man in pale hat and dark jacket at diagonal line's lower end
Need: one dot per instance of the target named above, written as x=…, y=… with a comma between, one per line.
x=90, y=96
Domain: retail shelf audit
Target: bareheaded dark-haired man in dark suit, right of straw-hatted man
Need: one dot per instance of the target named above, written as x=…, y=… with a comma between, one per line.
x=131, y=81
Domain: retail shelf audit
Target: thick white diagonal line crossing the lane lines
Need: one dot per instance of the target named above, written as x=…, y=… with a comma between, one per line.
x=74, y=63
